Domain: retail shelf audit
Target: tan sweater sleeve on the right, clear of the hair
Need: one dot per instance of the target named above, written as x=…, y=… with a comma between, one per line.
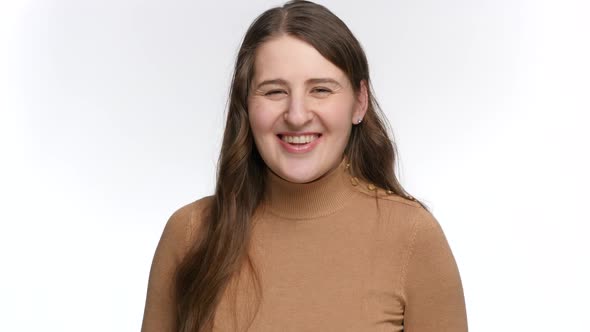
x=433, y=289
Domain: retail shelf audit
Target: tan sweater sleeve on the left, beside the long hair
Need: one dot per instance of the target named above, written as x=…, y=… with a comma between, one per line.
x=160, y=308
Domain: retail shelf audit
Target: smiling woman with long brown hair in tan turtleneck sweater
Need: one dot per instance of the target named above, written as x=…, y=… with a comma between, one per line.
x=308, y=229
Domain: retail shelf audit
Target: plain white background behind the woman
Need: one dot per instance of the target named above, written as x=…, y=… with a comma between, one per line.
x=111, y=115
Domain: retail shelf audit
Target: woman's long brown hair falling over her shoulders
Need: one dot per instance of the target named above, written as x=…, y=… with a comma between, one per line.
x=222, y=246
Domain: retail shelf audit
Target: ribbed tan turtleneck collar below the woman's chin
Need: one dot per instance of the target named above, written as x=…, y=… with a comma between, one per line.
x=315, y=199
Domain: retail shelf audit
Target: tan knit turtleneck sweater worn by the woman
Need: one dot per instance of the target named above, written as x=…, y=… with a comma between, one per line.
x=334, y=255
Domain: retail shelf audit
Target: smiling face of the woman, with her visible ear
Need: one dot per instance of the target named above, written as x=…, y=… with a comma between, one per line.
x=301, y=109
